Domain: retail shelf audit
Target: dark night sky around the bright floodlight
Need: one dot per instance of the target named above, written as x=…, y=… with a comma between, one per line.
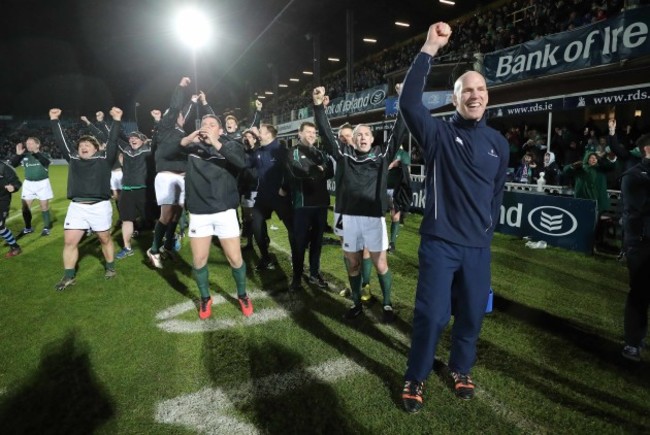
x=85, y=56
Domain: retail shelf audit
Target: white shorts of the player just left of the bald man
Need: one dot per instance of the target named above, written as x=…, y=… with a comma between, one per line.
x=364, y=231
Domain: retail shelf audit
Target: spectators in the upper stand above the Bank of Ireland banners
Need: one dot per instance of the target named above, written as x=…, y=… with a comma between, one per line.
x=493, y=29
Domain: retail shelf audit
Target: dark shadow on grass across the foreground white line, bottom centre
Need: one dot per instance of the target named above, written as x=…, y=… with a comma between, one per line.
x=303, y=403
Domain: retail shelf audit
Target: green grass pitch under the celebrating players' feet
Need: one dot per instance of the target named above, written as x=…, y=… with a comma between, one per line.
x=131, y=356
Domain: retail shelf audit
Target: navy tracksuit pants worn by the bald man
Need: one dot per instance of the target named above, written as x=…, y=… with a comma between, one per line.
x=447, y=271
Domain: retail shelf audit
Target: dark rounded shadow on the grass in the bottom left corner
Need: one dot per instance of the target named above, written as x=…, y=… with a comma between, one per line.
x=62, y=397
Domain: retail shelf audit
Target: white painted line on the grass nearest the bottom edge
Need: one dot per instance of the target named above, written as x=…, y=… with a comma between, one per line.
x=207, y=410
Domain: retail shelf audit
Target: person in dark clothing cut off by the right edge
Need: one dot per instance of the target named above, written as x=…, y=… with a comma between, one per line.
x=635, y=188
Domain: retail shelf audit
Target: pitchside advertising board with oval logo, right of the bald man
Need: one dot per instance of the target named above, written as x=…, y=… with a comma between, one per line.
x=560, y=221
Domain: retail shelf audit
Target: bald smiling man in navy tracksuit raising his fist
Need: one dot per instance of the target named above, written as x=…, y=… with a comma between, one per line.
x=466, y=165
